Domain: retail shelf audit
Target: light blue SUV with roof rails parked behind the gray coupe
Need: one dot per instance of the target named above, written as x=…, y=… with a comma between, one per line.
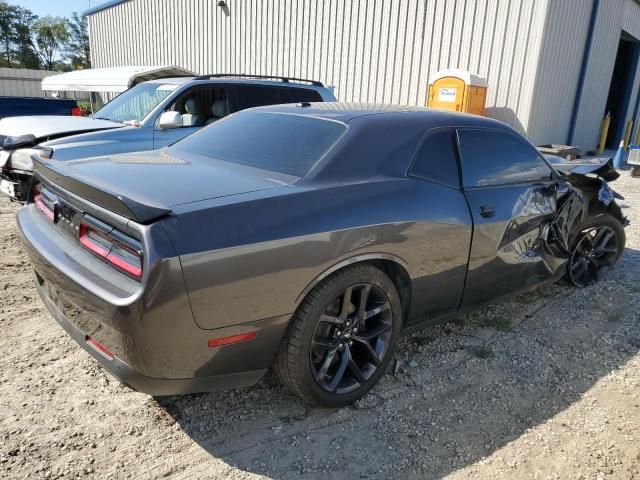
x=148, y=116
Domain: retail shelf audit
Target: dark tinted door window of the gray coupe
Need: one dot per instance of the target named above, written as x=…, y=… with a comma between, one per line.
x=498, y=158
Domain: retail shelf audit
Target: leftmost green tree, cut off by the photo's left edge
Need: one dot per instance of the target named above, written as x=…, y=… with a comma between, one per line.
x=16, y=47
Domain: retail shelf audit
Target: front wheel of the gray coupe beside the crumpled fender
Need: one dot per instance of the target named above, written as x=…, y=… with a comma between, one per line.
x=591, y=253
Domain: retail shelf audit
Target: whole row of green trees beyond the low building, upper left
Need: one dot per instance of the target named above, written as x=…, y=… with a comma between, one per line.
x=42, y=43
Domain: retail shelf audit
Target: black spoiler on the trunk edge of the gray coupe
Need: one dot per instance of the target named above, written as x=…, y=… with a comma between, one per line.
x=116, y=203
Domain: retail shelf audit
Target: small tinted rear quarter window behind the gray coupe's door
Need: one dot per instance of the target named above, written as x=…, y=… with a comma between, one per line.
x=436, y=159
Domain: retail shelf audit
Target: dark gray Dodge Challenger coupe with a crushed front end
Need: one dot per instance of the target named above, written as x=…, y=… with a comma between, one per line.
x=307, y=238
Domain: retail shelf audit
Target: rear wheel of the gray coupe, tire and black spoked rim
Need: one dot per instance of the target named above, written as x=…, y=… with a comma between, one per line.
x=324, y=323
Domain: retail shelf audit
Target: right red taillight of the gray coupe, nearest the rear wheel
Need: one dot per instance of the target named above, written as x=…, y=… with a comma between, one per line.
x=116, y=248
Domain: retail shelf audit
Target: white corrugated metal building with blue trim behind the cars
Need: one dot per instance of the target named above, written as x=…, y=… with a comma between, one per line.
x=554, y=67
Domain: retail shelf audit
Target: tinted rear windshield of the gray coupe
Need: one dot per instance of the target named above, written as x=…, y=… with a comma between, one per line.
x=282, y=143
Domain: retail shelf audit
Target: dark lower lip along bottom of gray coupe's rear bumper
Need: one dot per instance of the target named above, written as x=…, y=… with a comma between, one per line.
x=143, y=383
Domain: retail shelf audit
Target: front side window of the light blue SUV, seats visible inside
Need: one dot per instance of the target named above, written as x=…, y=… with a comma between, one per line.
x=201, y=106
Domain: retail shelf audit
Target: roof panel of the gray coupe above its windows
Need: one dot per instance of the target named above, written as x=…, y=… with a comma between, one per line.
x=347, y=112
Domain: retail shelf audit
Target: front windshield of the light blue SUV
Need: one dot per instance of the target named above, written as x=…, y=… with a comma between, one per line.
x=136, y=103
